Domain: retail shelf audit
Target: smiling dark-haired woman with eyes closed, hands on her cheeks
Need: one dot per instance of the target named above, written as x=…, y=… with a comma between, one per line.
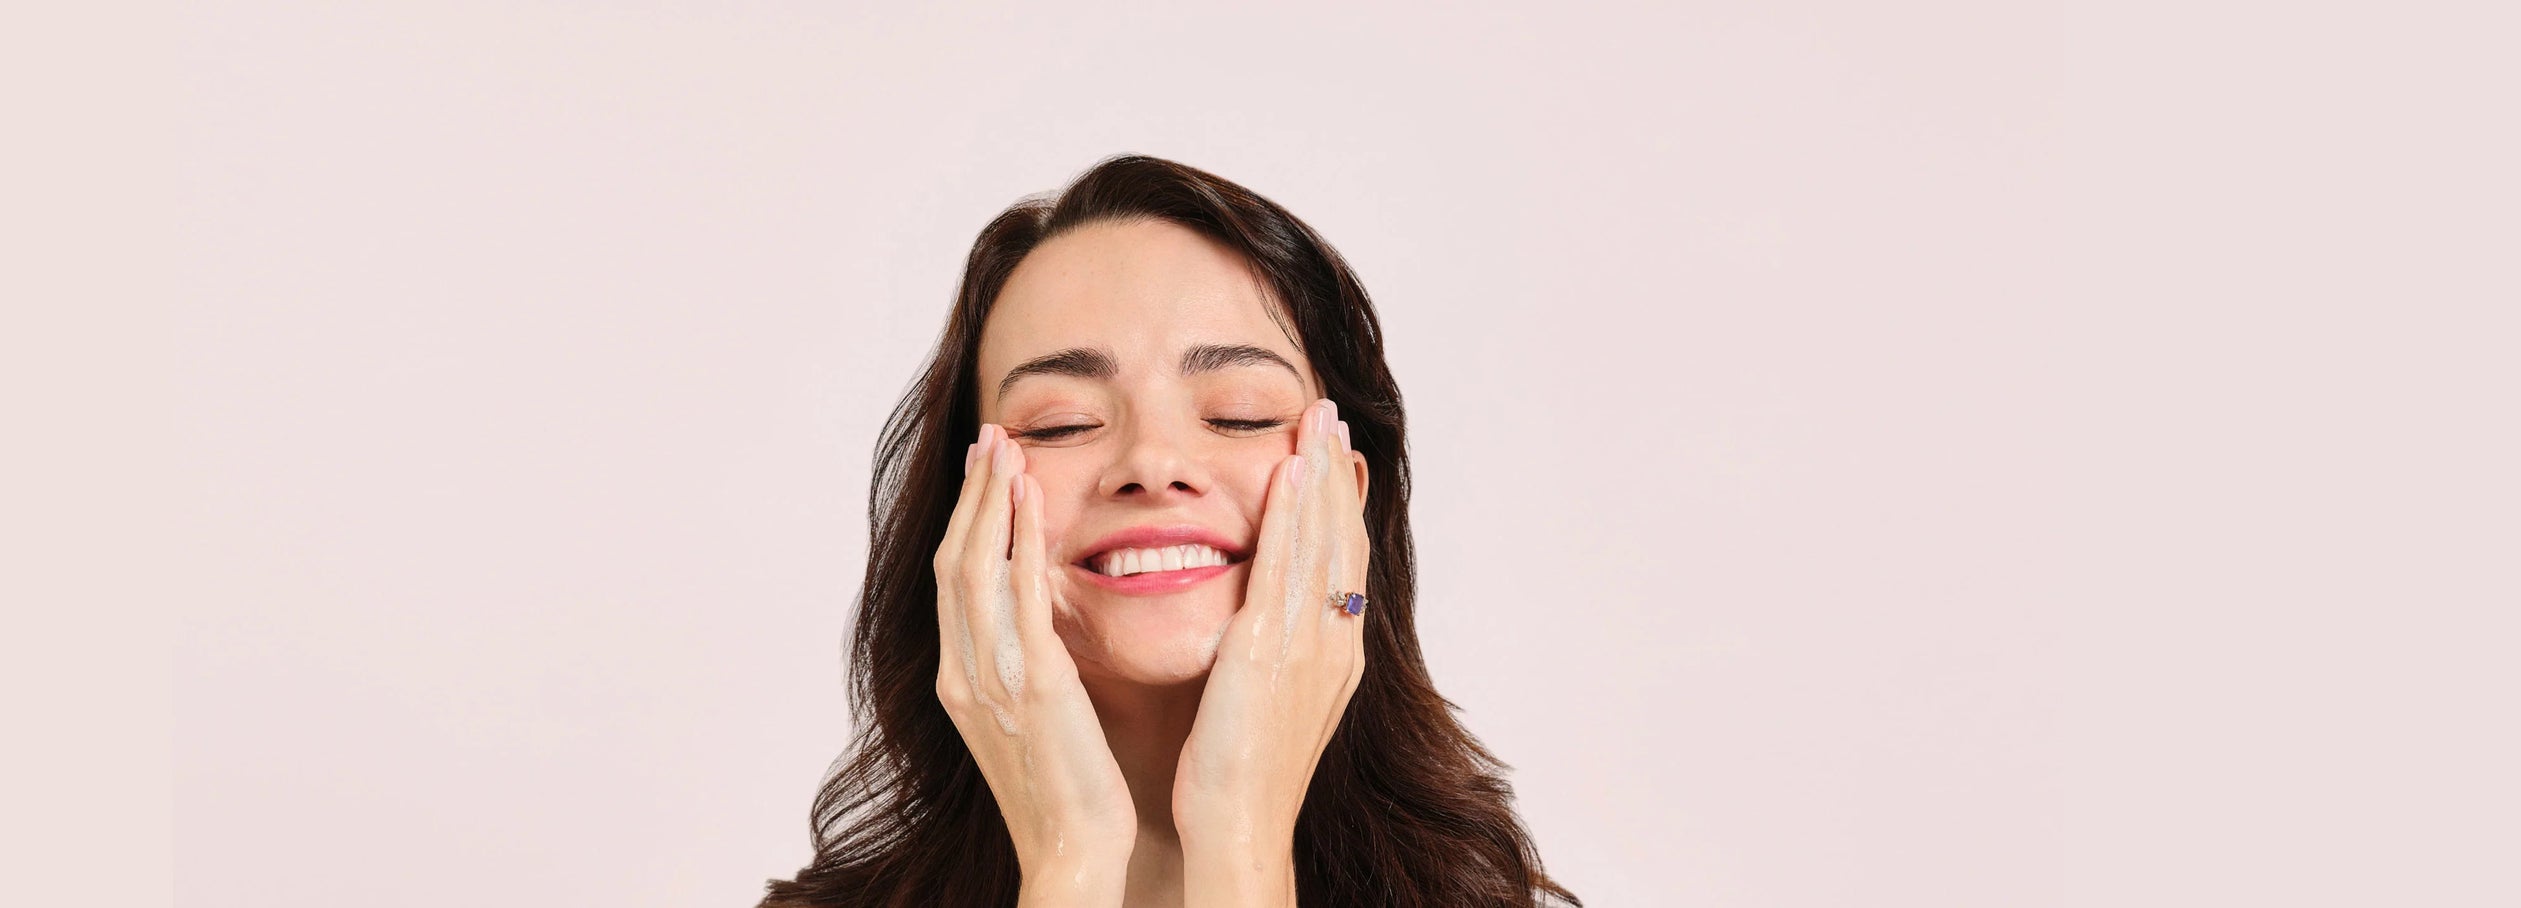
x=1138, y=609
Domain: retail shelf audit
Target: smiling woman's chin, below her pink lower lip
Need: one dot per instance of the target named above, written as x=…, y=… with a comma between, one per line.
x=1151, y=642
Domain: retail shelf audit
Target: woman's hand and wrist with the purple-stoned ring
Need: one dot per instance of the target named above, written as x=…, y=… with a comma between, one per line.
x=1284, y=675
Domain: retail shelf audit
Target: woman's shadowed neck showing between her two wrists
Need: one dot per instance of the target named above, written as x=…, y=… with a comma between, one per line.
x=1146, y=728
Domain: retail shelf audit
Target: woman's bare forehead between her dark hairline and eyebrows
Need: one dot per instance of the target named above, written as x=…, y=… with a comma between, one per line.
x=1141, y=291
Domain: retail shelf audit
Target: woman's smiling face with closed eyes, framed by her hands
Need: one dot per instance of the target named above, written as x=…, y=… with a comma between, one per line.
x=1153, y=397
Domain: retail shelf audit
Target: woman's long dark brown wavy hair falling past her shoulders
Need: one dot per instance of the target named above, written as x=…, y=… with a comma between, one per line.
x=1405, y=808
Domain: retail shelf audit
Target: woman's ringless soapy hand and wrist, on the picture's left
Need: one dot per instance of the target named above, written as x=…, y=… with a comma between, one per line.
x=1012, y=690
